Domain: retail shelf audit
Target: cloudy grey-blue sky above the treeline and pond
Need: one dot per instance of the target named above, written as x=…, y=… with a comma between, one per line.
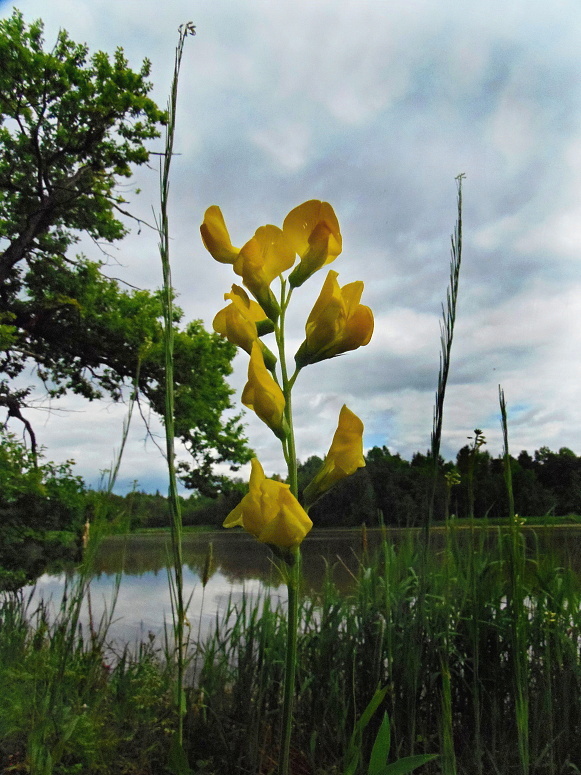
x=374, y=106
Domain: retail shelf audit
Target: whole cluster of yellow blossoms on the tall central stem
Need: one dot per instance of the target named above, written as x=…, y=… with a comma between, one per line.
x=337, y=323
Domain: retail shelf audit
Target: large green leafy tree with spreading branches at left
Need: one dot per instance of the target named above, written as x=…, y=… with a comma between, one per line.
x=71, y=127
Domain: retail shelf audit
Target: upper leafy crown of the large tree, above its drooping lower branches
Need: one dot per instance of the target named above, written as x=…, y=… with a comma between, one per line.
x=71, y=126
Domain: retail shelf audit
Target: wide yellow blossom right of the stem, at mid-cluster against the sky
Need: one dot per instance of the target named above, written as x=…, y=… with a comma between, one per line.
x=337, y=323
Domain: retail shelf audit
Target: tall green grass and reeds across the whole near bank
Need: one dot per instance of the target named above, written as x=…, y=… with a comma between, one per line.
x=477, y=642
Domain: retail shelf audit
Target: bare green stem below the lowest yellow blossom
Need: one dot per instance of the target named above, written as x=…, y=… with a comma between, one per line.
x=293, y=579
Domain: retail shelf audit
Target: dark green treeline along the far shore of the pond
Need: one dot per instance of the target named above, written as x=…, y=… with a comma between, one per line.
x=399, y=491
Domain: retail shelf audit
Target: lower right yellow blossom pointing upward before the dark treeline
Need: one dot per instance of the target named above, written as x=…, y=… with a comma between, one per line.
x=344, y=457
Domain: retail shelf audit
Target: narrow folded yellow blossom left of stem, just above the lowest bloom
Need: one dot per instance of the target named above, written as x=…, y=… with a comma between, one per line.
x=263, y=395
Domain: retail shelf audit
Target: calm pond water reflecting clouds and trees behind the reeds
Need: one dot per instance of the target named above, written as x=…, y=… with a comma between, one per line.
x=242, y=566
